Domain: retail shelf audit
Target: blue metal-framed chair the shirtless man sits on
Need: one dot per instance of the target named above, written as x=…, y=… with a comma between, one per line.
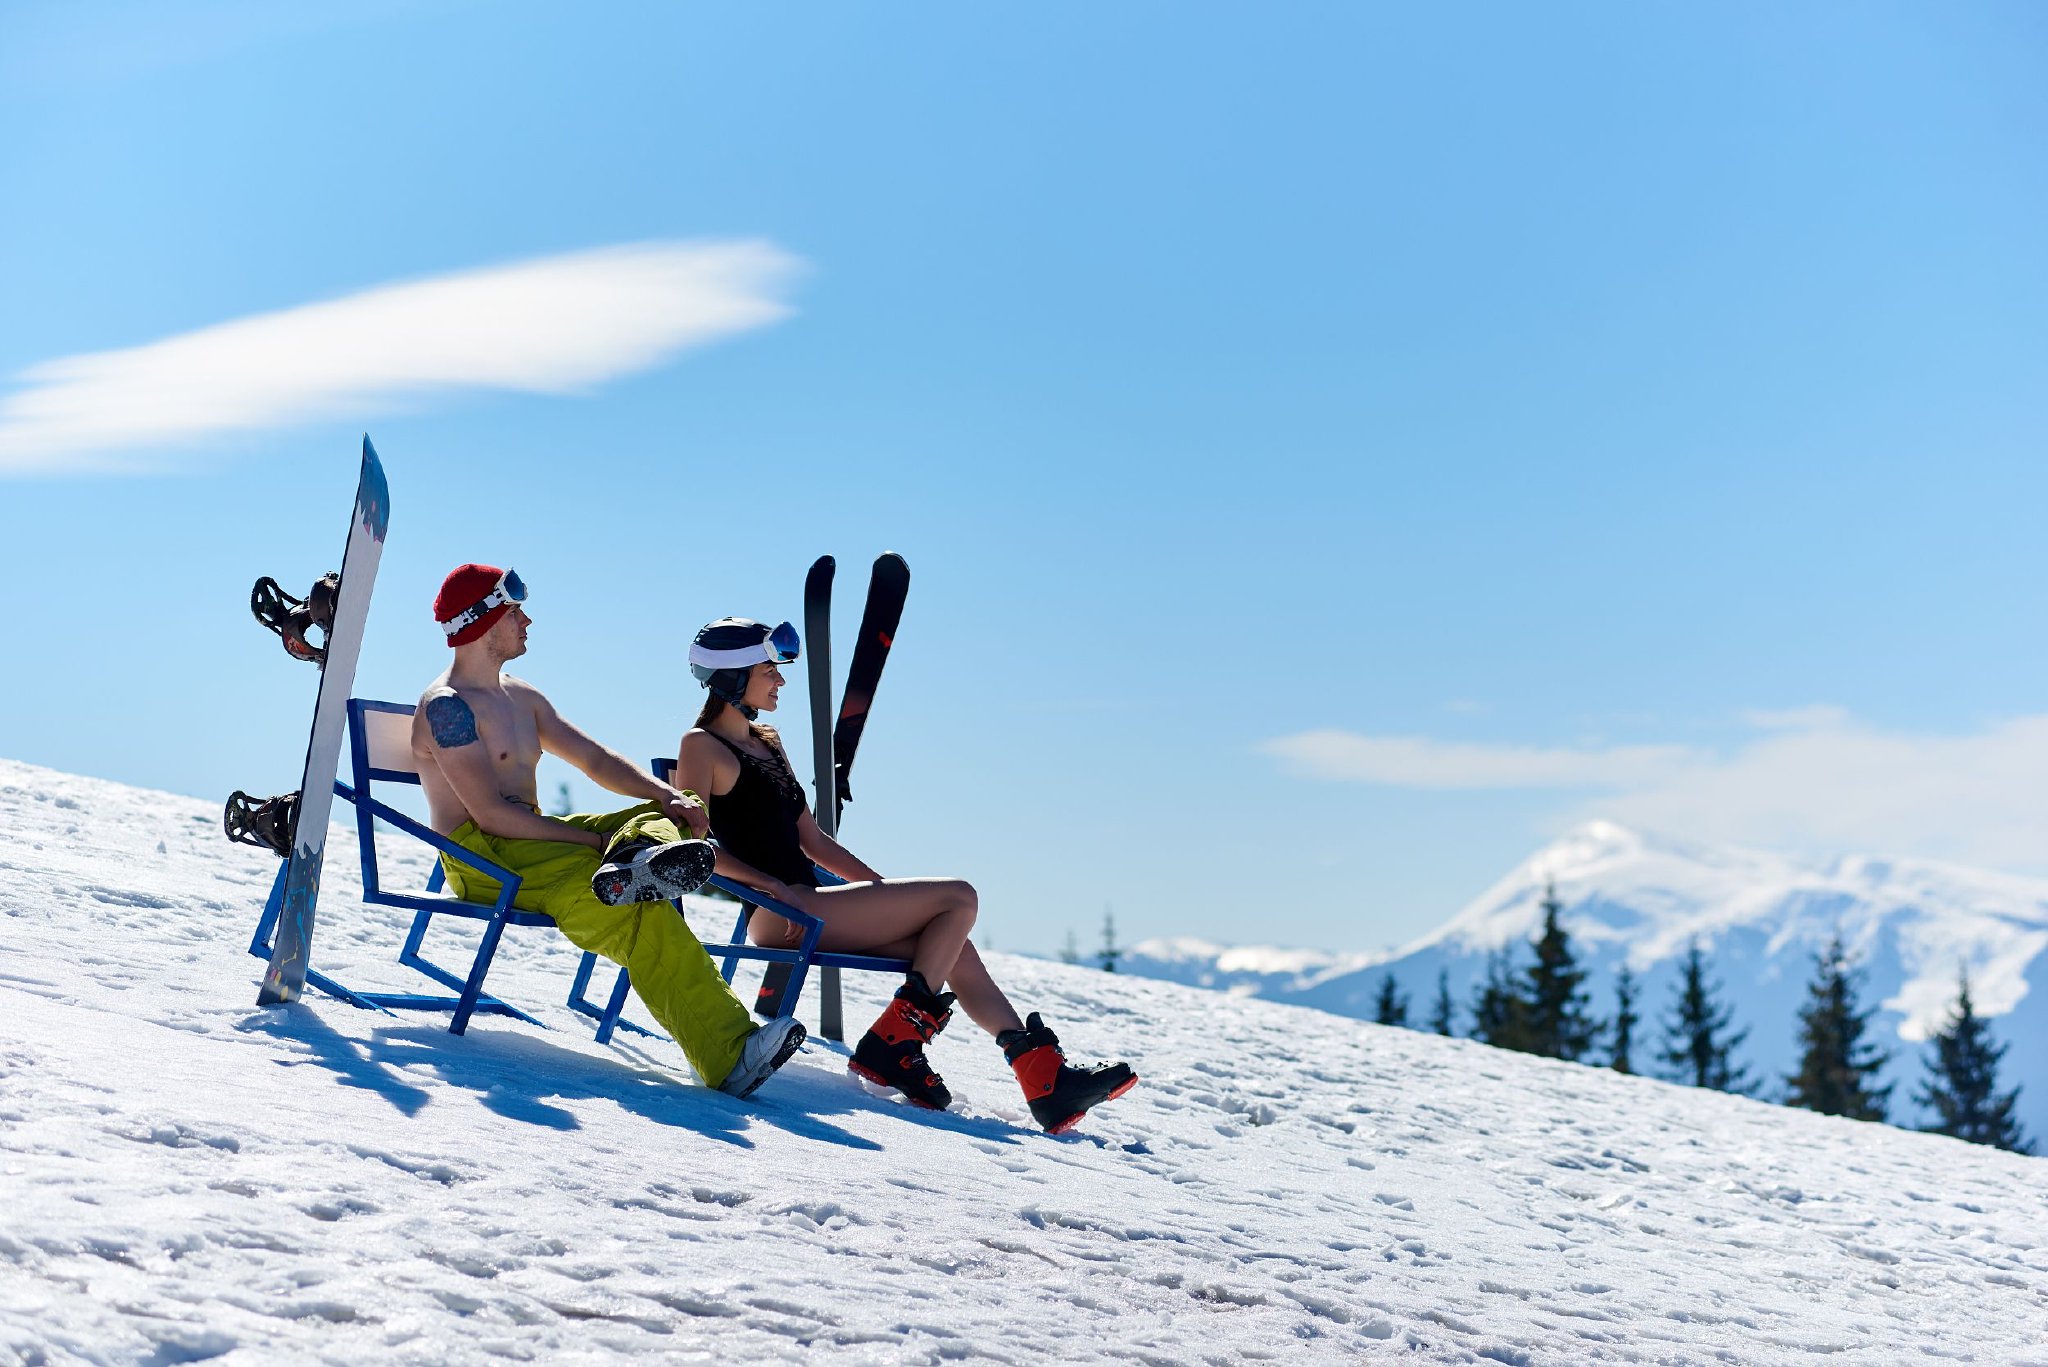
x=380, y=751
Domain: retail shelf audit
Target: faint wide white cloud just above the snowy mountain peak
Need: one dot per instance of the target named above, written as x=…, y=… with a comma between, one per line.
x=1822, y=784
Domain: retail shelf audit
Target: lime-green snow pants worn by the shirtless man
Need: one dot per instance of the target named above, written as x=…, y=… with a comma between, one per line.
x=671, y=968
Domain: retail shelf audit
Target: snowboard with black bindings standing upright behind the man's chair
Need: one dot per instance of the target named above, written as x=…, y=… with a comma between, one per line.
x=296, y=827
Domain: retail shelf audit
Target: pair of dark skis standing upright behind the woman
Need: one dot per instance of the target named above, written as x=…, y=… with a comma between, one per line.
x=835, y=745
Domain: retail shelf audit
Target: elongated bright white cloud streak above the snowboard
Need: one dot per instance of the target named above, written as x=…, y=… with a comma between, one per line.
x=556, y=325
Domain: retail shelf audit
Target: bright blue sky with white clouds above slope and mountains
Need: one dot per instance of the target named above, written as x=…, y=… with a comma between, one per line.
x=1338, y=448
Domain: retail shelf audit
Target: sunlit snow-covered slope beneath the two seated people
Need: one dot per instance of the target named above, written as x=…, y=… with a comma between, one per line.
x=185, y=1177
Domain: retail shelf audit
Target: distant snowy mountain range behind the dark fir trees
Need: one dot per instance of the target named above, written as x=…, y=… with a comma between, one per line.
x=1639, y=899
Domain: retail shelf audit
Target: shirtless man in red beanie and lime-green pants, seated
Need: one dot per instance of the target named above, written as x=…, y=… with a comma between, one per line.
x=605, y=880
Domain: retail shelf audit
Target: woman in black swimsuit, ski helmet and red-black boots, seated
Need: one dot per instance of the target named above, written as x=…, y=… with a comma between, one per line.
x=771, y=843
